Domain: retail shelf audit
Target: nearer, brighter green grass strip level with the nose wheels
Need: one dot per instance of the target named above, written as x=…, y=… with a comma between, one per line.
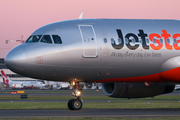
x=105, y=105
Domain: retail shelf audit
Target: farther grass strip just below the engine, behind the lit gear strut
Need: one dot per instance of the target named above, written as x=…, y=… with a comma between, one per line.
x=85, y=97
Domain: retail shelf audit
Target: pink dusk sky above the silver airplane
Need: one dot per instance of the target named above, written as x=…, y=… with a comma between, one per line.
x=22, y=17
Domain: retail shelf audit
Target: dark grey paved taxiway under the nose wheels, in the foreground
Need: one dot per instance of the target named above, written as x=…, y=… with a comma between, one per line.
x=103, y=113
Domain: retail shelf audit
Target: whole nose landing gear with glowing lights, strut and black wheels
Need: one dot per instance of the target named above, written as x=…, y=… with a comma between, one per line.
x=76, y=103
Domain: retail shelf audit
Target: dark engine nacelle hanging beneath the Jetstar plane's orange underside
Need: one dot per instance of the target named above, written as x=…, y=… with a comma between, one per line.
x=136, y=90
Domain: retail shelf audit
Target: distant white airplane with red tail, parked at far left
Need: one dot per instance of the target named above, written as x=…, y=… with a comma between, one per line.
x=21, y=84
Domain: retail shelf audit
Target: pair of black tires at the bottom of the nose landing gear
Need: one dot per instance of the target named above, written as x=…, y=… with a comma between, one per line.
x=74, y=104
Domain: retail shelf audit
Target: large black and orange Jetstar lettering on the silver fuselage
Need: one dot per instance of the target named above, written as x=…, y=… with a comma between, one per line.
x=153, y=36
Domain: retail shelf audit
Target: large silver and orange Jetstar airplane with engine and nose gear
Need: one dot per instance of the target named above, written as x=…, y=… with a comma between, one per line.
x=132, y=58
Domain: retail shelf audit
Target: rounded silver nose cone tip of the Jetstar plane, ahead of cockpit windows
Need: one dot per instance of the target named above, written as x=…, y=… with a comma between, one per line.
x=15, y=60
